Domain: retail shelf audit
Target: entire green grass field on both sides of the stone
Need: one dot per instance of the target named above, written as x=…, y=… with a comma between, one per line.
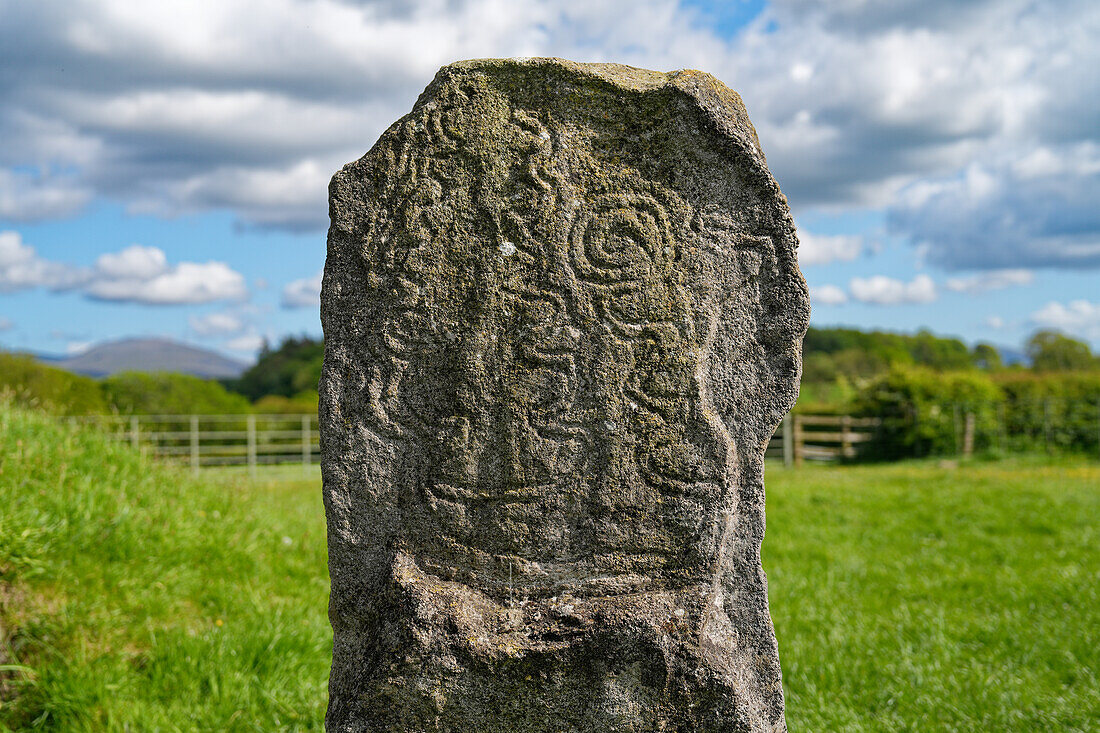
x=907, y=597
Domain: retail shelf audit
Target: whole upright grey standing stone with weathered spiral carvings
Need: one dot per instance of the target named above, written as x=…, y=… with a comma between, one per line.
x=563, y=318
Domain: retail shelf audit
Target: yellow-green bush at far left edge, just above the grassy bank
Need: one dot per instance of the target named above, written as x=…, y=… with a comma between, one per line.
x=31, y=384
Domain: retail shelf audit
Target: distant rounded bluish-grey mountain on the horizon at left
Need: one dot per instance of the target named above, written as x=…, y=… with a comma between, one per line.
x=149, y=356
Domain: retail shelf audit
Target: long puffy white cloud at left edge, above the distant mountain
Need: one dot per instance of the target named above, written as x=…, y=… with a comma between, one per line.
x=136, y=275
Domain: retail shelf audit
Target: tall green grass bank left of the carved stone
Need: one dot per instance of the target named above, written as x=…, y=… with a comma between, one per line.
x=134, y=597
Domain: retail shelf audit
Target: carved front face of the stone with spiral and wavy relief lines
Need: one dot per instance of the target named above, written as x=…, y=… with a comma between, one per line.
x=540, y=341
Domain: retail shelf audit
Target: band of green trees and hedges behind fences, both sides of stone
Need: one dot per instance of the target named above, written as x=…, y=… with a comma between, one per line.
x=845, y=370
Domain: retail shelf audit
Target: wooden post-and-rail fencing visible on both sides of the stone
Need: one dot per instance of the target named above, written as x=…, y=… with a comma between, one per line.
x=252, y=441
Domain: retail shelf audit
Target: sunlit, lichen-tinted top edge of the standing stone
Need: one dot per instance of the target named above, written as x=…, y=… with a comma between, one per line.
x=709, y=92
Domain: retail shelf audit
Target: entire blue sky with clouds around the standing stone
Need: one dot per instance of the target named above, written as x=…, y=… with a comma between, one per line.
x=163, y=167
